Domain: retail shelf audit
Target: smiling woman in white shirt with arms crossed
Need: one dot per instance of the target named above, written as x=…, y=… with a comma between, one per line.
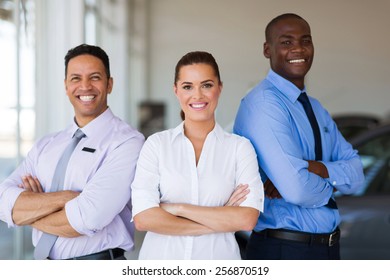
x=184, y=193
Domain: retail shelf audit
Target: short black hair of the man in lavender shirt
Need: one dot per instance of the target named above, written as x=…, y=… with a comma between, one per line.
x=91, y=50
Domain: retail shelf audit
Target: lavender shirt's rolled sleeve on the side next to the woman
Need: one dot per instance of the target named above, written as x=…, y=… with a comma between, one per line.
x=111, y=185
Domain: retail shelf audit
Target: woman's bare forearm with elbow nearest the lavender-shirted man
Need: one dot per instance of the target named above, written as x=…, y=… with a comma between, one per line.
x=159, y=221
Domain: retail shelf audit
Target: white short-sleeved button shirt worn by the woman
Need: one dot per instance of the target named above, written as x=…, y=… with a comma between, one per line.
x=167, y=173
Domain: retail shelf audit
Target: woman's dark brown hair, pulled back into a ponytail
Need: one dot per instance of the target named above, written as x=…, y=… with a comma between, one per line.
x=196, y=57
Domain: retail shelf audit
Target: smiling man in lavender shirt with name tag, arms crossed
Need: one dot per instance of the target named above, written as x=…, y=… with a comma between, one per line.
x=91, y=215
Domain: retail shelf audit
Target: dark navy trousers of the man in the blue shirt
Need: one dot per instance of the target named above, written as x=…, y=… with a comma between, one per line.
x=267, y=248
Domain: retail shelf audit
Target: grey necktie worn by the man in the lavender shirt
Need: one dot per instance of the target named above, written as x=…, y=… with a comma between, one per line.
x=47, y=240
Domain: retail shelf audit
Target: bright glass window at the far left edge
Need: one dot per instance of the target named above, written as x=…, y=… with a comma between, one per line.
x=17, y=99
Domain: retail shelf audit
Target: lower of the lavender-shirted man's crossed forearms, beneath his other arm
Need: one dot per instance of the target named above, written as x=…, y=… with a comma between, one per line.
x=57, y=224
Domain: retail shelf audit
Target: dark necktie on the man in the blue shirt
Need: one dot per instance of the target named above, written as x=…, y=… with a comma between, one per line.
x=317, y=135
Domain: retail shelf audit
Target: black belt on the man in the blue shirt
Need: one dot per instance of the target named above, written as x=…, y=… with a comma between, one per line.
x=328, y=239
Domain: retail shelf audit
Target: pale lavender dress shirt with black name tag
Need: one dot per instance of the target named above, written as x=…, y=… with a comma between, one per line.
x=102, y=174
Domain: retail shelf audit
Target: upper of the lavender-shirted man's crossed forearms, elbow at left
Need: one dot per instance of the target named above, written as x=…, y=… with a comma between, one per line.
x=31, y=206
